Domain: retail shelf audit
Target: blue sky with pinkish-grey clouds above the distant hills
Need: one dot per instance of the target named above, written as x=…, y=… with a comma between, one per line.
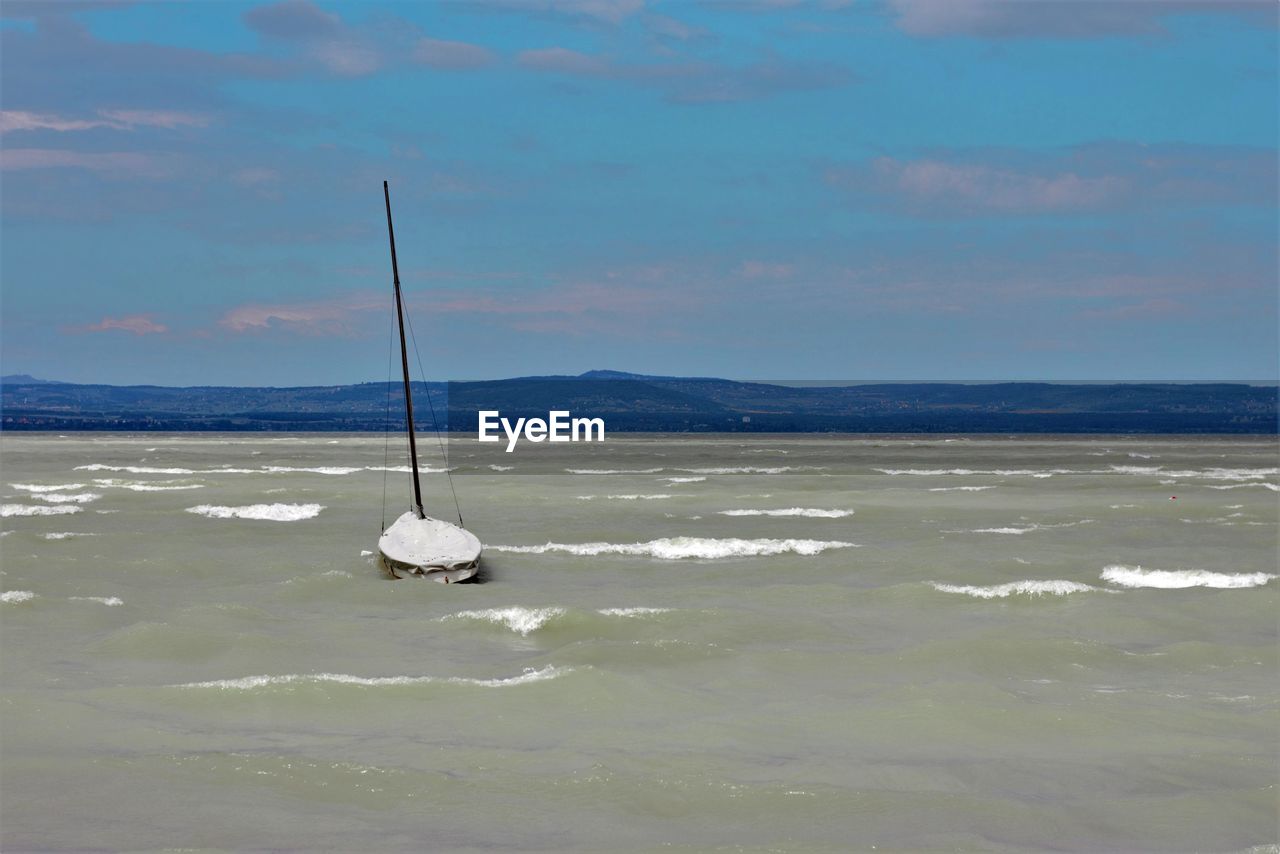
x=789, y=190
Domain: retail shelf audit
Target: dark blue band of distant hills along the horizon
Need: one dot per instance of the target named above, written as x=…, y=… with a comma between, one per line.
x=664, y=404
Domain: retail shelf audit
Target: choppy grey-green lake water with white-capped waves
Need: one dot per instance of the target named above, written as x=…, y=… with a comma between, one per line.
x=760, y=643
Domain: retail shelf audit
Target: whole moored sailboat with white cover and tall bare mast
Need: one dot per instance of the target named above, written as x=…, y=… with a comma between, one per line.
x=415, y=545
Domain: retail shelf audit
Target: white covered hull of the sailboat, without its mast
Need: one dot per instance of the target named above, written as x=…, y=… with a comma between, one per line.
x=429, y=549
